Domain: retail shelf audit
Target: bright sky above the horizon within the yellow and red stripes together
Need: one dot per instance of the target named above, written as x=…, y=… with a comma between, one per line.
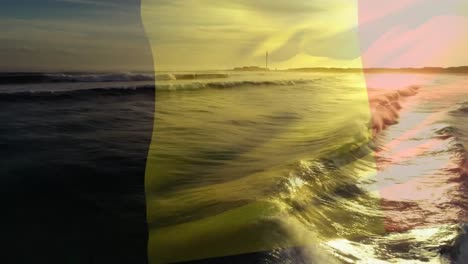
x=304, y=33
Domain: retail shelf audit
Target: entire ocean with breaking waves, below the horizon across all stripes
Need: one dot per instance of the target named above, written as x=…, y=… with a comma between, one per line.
x=275, y=167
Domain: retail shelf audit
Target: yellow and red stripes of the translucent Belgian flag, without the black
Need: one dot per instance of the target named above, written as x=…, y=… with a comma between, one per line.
x=217, y=195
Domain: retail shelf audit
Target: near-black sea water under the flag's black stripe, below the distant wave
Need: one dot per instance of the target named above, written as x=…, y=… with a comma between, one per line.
x=72, y=177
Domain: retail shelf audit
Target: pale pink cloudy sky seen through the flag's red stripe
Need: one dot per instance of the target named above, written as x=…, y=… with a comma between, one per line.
x=409, y=36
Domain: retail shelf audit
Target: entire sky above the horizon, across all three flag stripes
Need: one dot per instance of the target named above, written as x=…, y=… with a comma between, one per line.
x=126, y=35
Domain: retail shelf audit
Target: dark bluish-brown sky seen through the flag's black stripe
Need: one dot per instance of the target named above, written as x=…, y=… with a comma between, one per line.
x=73, y=35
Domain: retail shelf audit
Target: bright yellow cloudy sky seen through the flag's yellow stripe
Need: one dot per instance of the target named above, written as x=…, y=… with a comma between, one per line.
x=236, y=32
